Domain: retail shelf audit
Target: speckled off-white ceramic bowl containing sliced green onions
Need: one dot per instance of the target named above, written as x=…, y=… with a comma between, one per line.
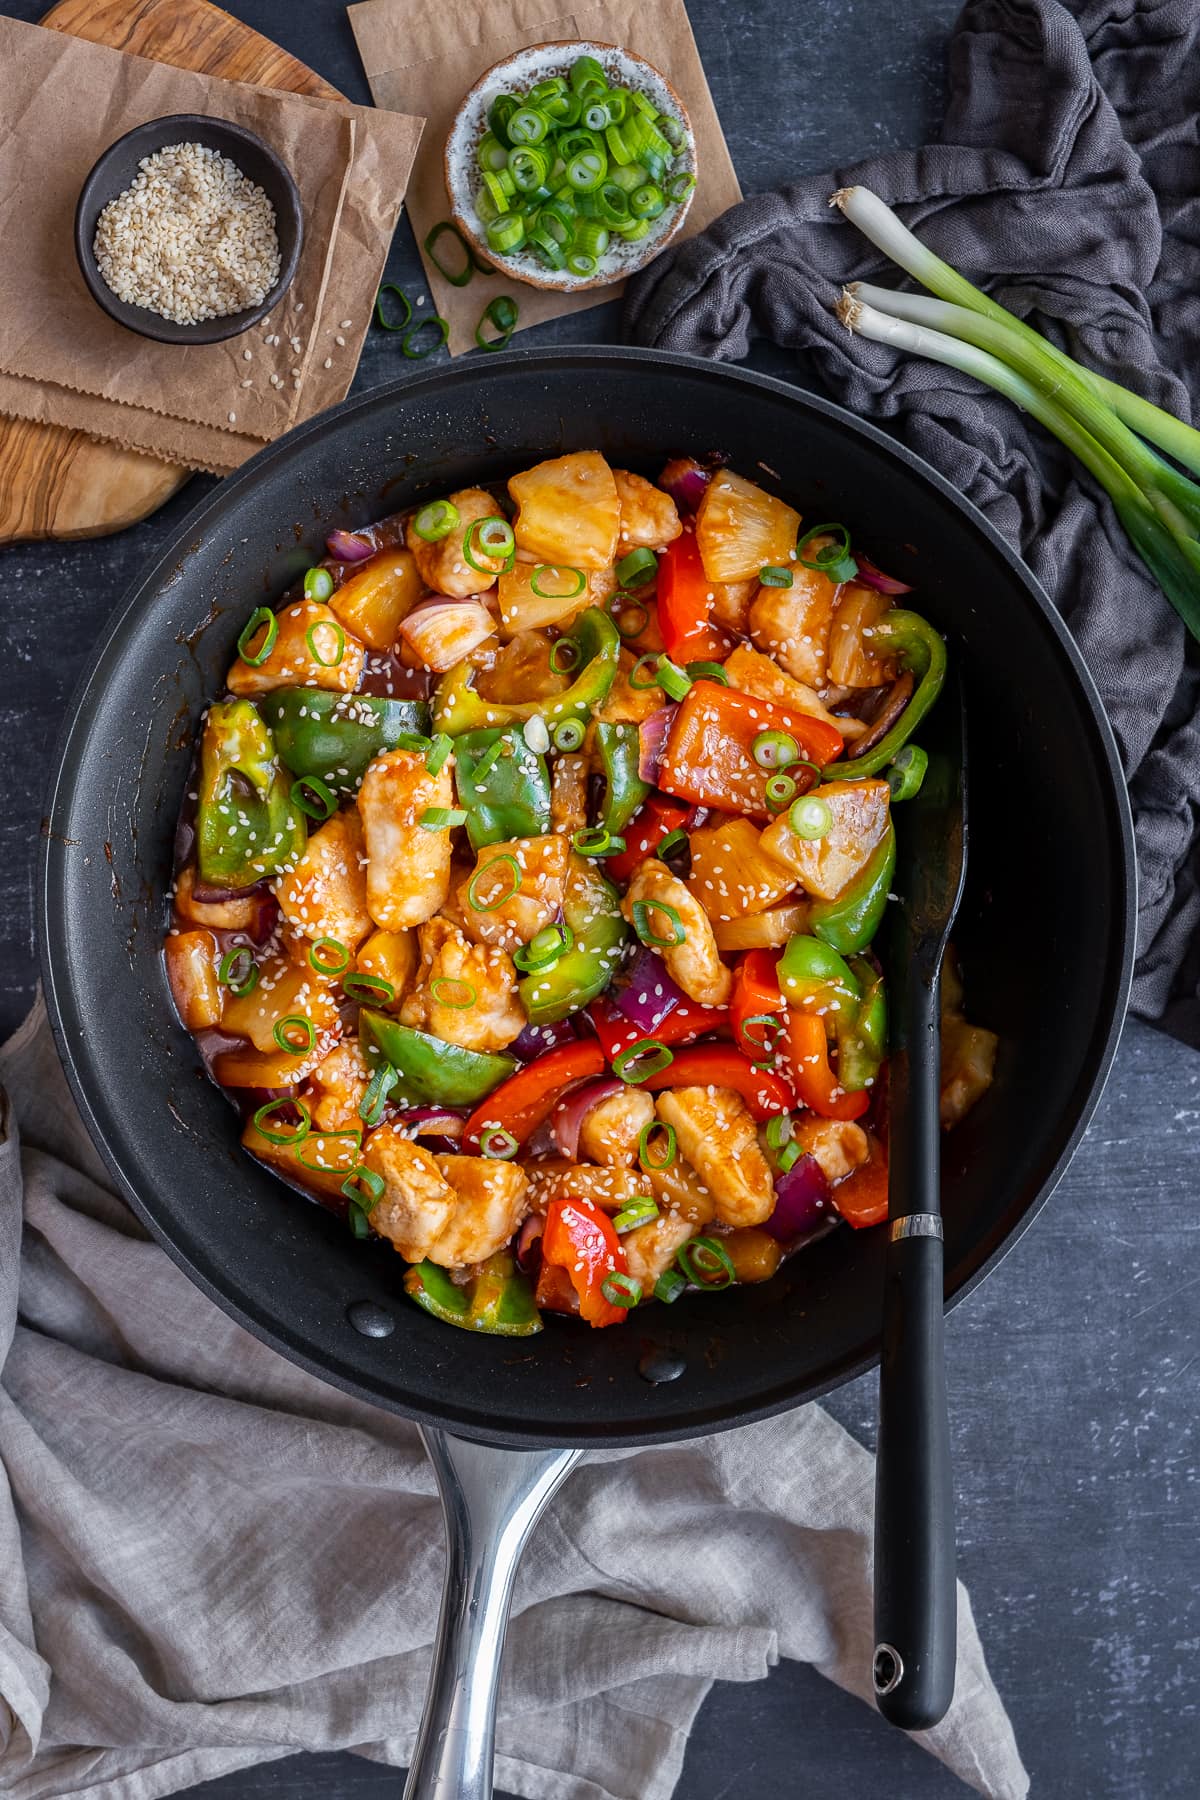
x=517, y=75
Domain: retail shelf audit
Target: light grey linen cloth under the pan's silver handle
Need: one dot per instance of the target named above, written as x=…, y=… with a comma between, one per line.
x=211, y=1560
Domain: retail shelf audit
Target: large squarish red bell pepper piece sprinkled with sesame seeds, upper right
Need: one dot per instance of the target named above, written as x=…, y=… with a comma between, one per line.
x=710, y=753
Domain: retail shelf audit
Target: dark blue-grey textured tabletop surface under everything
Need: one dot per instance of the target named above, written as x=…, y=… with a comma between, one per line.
x=1073, y=1371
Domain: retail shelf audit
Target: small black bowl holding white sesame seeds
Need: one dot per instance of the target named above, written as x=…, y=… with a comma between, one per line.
x=118, y=168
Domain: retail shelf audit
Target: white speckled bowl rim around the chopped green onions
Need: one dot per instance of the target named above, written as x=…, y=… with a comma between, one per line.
x=474, y=206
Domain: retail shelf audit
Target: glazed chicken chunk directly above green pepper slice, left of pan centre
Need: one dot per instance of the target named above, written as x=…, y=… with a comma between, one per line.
x=467, y=993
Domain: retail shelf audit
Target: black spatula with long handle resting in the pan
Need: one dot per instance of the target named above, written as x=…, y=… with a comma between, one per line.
x=915, y=1560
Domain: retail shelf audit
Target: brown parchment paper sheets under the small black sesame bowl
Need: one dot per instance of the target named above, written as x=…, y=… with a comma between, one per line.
x=66, y=363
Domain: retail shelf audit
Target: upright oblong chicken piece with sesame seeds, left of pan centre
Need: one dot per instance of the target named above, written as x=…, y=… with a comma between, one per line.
x=407, y=867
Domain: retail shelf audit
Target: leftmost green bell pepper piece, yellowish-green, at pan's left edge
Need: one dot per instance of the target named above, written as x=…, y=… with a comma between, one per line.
x=247, y=827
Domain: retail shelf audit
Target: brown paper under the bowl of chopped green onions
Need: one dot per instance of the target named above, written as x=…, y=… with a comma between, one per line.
x=425, y=55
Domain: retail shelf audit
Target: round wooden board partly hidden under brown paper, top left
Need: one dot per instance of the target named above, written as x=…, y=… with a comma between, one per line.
x=66, y=485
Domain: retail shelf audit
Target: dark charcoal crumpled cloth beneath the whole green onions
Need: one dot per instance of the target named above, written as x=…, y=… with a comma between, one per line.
x=1068, y=183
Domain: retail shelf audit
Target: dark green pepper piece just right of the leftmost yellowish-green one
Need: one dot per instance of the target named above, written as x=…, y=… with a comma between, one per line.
x=337, y=735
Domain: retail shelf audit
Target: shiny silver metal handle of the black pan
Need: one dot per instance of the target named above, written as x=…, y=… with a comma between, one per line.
x=492, y=1502
